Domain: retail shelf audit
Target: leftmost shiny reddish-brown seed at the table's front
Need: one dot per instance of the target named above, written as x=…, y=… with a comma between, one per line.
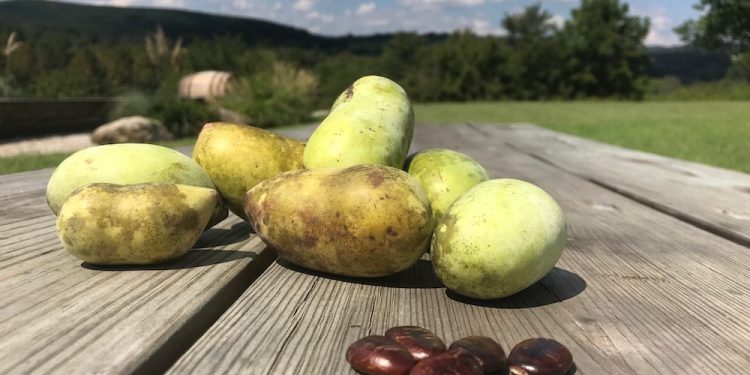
x=379, y=355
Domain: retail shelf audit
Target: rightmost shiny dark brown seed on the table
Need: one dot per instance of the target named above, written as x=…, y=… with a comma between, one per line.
x=539, y=357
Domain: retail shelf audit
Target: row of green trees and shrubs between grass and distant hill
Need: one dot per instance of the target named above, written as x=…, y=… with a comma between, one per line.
x=599, y=52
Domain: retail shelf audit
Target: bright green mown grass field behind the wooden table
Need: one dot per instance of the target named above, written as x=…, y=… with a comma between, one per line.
x=711, y=132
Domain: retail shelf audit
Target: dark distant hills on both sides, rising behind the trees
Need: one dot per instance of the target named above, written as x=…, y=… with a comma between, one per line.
x=103, y=23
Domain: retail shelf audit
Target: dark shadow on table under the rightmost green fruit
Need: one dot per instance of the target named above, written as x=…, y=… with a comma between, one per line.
x=557, y=286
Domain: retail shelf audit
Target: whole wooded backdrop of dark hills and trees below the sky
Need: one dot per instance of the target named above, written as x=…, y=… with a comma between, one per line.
x=63, y=50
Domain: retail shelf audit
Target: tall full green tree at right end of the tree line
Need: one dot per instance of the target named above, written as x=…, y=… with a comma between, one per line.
x=603, y=49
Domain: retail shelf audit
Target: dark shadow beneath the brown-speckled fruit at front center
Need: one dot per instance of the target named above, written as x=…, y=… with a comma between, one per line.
x=419, y=275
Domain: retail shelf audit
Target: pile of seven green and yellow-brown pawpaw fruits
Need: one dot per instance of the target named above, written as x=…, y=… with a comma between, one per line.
x=346, y=202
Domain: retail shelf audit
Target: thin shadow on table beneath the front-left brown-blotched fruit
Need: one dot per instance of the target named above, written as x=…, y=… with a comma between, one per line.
x=193, y=258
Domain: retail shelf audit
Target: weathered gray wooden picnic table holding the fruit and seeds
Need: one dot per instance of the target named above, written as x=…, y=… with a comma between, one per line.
x=655, y=279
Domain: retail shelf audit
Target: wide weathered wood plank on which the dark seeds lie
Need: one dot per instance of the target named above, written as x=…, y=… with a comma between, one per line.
x=636, y=291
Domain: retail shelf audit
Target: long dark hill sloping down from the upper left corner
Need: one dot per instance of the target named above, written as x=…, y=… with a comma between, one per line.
x=103, y=23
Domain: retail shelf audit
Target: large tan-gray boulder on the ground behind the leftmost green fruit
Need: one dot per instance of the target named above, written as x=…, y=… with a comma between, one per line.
x=130, y=129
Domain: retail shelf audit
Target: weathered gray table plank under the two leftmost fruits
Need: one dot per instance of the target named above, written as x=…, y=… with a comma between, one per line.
x=58, y=315
